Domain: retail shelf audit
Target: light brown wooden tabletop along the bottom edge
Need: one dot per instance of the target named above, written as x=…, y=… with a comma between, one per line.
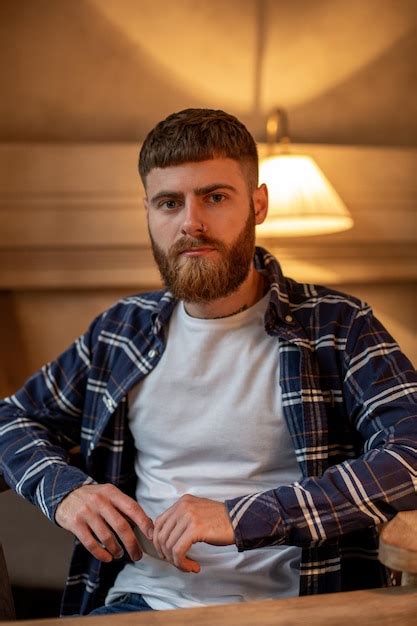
x=396, y=606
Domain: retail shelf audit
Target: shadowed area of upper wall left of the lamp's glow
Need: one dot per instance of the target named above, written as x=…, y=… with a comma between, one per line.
x=69, y=74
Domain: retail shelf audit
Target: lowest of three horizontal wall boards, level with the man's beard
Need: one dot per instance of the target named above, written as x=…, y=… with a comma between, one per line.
x=134, y=268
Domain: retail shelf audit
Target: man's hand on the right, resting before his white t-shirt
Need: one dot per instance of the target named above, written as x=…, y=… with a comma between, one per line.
x=189, y=521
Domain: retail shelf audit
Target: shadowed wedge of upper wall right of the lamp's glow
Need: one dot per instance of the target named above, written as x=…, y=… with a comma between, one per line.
x=355, y=108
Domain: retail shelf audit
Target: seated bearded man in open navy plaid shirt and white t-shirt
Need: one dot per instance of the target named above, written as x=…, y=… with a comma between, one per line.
x=238, y=426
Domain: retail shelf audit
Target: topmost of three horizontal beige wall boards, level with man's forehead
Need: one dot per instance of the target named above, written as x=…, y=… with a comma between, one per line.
x=42, y=172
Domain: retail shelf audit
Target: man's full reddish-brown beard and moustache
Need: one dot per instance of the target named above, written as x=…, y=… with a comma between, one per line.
x=201, y=279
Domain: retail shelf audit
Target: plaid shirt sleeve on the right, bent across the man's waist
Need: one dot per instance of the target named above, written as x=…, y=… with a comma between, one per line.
x=380, y=391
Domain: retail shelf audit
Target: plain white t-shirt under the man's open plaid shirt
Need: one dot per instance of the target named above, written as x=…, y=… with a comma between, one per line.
x=208, y=421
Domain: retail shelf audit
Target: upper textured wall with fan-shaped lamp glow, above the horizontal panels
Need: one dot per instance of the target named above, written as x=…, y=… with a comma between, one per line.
x=107, y=70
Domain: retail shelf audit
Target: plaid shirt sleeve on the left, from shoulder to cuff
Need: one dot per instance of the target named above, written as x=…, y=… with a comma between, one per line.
x=41, y=423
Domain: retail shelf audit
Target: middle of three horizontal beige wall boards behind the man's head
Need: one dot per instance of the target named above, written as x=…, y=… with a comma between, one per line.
x=127, y=226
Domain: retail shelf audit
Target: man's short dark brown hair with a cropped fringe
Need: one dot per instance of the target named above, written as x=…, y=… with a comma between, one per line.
x=195, y=135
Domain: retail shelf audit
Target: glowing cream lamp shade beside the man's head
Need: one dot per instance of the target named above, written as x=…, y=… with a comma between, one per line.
x=301, y=199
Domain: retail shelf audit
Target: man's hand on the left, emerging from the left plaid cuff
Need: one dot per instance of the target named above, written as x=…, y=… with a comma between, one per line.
x=97, y=514
